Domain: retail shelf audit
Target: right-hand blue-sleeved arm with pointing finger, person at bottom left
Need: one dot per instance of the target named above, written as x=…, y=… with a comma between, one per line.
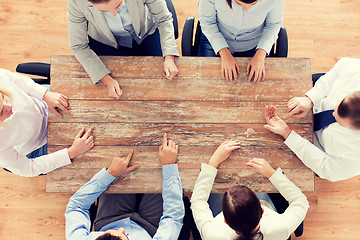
x=171, y=220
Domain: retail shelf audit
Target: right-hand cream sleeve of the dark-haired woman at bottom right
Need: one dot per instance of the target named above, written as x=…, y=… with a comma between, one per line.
x=298, y=204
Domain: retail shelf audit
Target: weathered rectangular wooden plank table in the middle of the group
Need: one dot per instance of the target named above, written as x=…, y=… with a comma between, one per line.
x=198, y=109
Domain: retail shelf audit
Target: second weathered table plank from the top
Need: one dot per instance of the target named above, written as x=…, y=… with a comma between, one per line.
x=185, y=88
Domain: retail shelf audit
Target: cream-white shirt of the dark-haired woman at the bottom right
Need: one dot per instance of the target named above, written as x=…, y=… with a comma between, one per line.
x=274, y=226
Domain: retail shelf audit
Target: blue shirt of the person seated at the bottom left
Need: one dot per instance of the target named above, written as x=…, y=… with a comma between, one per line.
x=78, y=217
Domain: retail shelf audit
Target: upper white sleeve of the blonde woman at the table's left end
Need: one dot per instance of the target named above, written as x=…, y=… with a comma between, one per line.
x=25, y=83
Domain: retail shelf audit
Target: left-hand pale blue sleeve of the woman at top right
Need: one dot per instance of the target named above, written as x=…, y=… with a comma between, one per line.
x=208, y=22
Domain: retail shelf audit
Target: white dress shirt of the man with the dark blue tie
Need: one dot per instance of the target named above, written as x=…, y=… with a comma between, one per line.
x=335, y=153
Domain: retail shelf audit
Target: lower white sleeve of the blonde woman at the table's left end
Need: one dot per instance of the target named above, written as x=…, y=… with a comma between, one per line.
x=23, y=166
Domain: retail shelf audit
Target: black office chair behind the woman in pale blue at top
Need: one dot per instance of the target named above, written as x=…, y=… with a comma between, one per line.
x=190, y=44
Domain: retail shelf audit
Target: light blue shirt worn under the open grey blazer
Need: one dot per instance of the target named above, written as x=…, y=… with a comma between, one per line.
x=121, y=26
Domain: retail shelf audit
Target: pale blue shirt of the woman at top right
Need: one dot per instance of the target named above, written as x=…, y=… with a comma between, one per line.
x=239, y=30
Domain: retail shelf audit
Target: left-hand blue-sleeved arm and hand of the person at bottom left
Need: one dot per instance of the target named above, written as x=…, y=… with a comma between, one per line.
x=77, y=214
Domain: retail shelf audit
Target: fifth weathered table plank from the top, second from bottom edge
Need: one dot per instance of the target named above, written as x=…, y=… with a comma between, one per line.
x=189, y=157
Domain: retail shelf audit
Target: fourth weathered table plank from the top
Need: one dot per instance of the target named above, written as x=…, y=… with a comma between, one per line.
x=150, y=134
